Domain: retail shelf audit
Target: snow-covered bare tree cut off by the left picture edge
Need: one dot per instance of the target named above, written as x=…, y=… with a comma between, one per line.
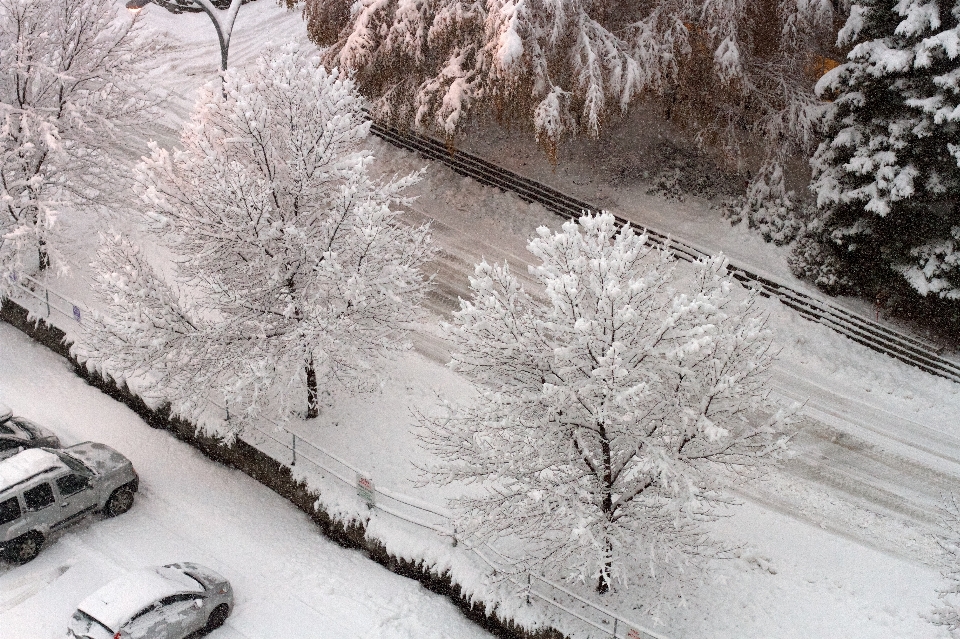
x=69, y=101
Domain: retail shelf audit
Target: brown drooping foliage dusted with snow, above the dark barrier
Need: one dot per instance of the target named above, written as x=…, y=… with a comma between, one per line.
x=731, y=69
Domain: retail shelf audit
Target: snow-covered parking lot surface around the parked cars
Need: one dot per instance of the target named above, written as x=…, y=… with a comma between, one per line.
x=290, y=581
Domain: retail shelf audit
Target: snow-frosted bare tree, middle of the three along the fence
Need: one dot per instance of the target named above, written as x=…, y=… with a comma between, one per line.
x=291, y=268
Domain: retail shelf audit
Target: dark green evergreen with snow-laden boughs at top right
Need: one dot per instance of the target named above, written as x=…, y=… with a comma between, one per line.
x=887, y=174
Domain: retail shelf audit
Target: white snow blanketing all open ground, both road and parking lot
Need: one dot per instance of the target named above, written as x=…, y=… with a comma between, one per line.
x=840, y=543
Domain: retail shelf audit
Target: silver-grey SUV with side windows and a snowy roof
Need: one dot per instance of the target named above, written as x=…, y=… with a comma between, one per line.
x=43, y=490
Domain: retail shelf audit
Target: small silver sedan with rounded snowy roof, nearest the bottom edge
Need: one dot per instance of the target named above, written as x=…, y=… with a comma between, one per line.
x=169, y=602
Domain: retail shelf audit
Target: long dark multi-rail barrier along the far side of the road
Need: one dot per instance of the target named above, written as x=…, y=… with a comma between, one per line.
x=862, y=330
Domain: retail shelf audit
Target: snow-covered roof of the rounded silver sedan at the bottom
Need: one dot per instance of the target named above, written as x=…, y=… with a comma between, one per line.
x=115, y=603
